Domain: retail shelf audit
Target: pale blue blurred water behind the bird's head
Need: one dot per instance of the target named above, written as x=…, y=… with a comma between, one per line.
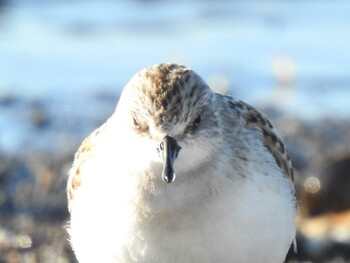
x=294, y=55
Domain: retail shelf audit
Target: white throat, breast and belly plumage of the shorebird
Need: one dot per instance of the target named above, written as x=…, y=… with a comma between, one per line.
x=120, y=215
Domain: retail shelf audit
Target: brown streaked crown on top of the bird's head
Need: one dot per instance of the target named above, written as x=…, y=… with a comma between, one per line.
x=163, y=92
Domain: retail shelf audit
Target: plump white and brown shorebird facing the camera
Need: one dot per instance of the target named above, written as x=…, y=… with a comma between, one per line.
x=233, y=196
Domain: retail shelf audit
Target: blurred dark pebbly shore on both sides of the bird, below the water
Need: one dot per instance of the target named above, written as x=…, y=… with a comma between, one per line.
x=33, y=174
